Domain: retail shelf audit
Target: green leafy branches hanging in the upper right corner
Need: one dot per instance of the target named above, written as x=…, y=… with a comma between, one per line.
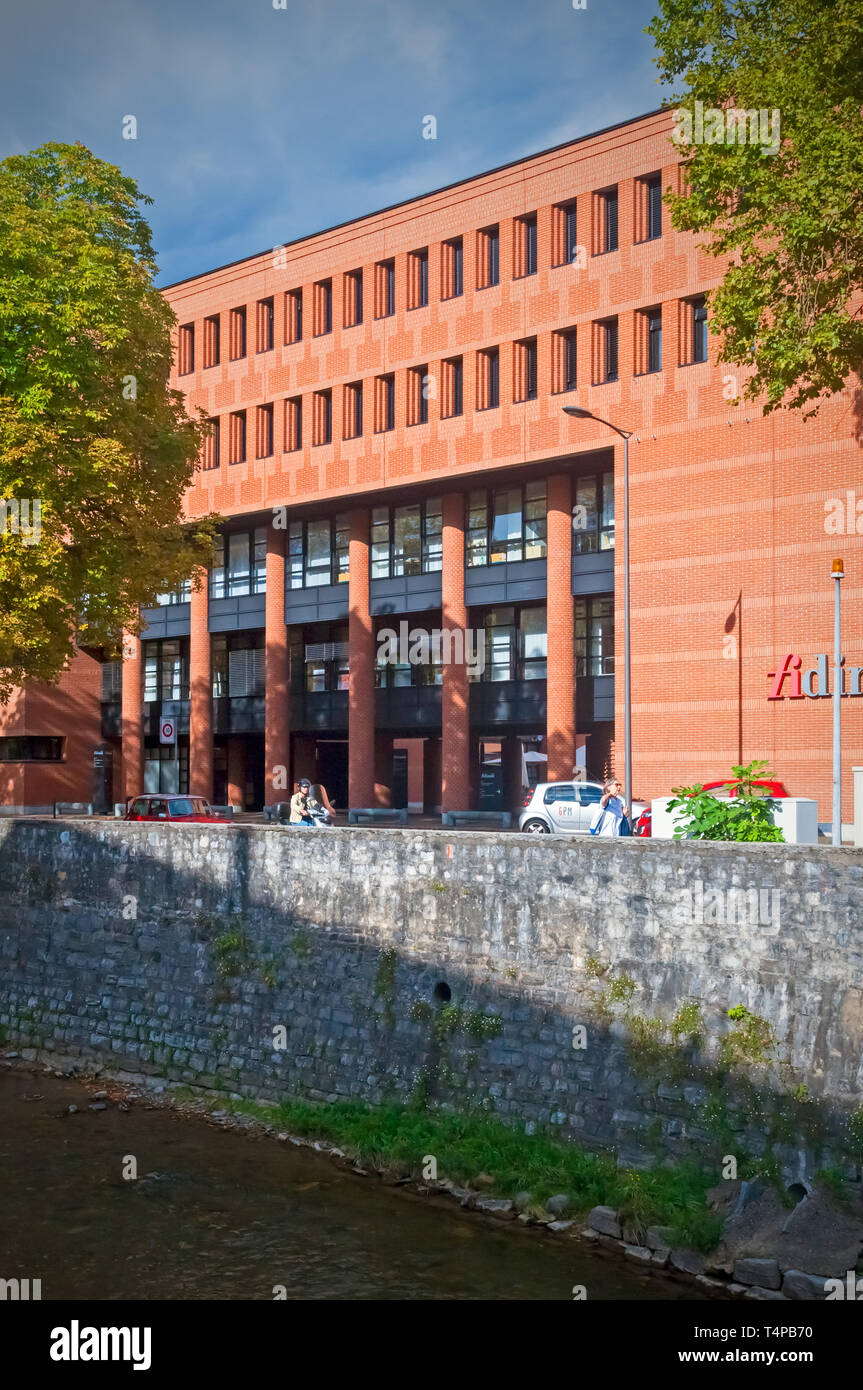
x=790, y=219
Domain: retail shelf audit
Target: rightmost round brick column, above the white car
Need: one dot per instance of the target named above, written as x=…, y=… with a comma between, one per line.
x=561, y=687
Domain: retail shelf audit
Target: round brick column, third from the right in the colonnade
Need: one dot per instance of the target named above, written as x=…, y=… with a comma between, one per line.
x=362, y=680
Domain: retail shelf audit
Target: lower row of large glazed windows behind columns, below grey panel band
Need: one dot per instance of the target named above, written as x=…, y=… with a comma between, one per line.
x=515, y=647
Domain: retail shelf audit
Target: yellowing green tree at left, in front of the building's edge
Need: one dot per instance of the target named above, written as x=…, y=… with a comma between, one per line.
x=95, y=450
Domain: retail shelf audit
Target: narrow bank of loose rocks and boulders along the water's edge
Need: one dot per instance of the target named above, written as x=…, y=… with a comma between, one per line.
x=772, y=1245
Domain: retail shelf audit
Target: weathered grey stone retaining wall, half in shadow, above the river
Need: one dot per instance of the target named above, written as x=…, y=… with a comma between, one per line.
x=518, y=974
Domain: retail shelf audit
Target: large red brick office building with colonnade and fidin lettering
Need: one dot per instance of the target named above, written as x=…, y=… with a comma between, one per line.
x=390, y=447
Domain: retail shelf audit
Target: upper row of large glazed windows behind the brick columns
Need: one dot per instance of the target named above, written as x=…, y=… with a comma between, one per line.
x=502, y=525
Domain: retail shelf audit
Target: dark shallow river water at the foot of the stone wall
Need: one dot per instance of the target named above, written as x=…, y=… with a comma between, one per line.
x=219, y=1214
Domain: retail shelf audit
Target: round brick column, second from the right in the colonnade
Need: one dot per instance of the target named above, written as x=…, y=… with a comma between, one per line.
x=455, y=783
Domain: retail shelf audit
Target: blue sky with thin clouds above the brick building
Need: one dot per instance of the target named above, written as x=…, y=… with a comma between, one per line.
x=258, y=126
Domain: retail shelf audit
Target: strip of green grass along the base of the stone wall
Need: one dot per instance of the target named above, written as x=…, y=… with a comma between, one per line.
x=401, y=1139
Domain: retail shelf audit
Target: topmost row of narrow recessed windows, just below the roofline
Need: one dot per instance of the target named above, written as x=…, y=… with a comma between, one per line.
x=565, y=250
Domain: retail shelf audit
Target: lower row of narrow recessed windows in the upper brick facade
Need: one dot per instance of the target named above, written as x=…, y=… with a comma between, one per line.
x=450, y=384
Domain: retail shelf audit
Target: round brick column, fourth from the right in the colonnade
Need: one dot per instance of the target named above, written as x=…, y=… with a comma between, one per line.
x=277, y=678
